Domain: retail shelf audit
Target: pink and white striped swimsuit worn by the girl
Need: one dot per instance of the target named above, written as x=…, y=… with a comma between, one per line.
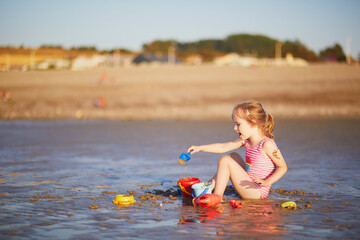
x=258, y=165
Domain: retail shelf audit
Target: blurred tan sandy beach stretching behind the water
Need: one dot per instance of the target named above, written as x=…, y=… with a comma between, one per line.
x=181, y=92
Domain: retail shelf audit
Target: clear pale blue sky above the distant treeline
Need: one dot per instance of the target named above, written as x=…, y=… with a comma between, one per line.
x=110, y=24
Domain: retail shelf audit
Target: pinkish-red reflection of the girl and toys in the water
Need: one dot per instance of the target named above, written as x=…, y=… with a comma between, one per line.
x=254, y=218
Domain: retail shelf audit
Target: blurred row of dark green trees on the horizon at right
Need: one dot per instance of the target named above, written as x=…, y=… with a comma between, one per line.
x=244, y=44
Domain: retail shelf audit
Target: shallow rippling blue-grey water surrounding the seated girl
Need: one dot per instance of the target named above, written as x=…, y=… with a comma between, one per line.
x=52, y=171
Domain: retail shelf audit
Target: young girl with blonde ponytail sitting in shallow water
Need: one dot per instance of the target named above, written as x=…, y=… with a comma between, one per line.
x=264, y=163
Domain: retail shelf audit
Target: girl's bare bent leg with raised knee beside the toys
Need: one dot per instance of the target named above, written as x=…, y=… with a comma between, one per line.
x=230, y=166
